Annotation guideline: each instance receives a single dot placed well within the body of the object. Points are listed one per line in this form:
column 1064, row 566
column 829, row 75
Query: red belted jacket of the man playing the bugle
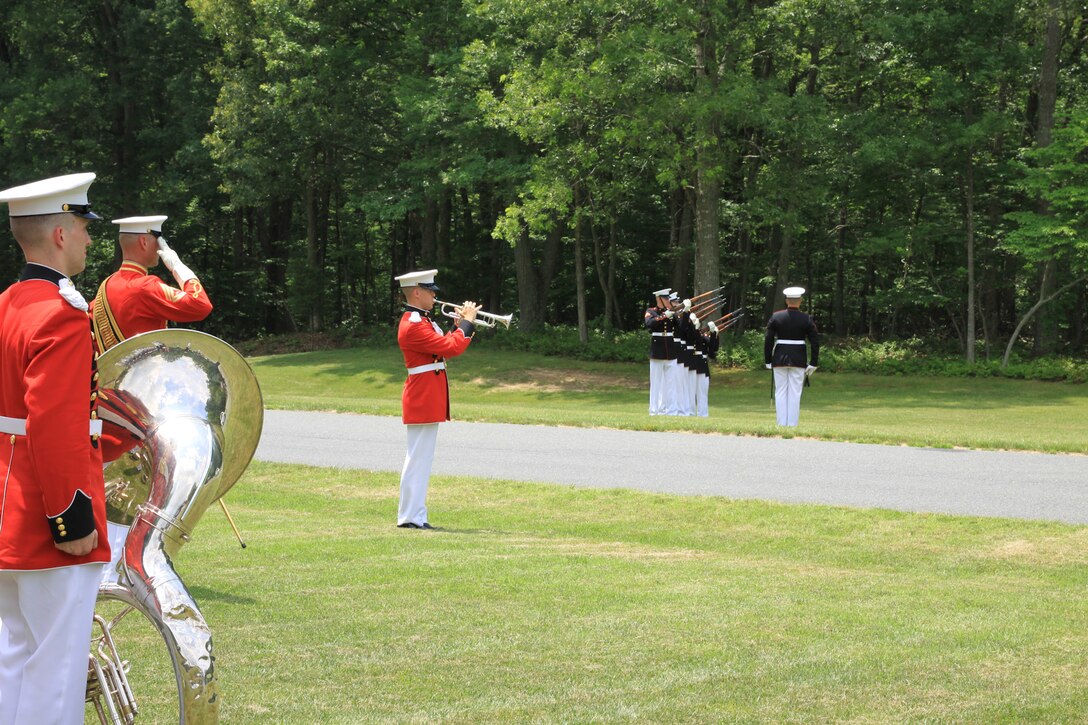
column 426, row 398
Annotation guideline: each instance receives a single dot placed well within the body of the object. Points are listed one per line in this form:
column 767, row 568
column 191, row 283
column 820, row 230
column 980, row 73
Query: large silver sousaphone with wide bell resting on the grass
column 192, row 409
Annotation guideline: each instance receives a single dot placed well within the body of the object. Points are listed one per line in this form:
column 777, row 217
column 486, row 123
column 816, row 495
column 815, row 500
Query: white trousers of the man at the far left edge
column 45, row 641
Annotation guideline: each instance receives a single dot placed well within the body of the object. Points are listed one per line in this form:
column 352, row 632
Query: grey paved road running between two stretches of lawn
column 979, row 483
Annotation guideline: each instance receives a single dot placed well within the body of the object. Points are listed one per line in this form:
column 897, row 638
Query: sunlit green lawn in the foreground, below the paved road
column 548, row 604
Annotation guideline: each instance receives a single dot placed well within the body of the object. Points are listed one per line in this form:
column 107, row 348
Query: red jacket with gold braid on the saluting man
column 139, row 302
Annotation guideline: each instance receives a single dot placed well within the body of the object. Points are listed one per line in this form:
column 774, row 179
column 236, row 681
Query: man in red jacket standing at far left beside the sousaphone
column 53, row 508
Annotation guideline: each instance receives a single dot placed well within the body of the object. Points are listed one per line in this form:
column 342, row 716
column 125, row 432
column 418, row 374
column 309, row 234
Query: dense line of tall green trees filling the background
column 921, row 168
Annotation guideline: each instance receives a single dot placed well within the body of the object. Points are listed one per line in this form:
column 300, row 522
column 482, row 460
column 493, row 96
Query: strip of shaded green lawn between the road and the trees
column 503, row 387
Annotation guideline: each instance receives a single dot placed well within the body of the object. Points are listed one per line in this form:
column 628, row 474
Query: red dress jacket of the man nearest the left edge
column 53, row 475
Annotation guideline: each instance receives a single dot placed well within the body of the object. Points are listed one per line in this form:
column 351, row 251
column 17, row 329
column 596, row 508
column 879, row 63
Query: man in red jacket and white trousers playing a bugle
column 426, row 399
